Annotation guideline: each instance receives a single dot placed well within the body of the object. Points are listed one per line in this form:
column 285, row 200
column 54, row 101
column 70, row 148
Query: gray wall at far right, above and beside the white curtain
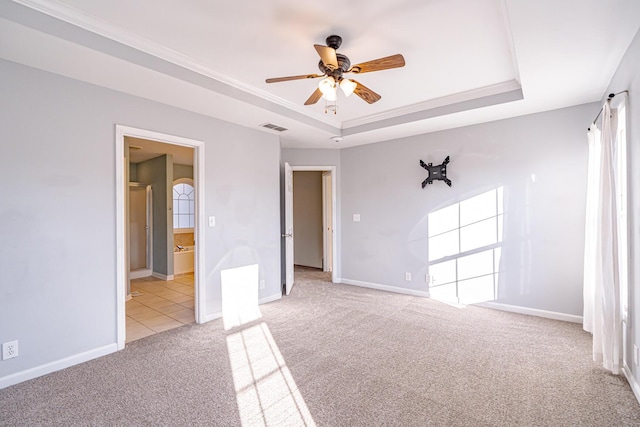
column 627, row 77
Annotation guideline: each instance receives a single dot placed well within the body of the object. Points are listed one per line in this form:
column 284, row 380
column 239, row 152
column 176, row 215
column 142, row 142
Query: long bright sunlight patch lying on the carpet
column 265, row 390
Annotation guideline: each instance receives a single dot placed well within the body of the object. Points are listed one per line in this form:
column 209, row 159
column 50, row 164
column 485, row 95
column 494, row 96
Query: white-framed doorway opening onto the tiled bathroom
column 152, row 296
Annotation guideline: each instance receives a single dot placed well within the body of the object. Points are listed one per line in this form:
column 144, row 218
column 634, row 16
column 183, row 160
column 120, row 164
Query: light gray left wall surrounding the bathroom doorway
column 58, row 257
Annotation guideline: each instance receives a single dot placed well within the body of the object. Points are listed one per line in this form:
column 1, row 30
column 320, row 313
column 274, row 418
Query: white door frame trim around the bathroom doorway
column 121, row 217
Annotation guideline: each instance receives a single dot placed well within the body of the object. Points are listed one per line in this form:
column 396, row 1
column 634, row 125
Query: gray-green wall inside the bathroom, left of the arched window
column 159, row 173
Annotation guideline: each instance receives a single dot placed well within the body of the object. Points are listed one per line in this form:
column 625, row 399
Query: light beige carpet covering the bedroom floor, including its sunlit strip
column 337, row 355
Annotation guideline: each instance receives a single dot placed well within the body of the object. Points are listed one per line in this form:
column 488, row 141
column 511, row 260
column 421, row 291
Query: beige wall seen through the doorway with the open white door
column 307, row 218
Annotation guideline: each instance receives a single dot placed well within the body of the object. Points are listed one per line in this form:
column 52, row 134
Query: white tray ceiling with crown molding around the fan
column 467, row 61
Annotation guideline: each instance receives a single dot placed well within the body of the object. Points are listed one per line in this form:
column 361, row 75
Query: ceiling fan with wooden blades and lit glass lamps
column 333, row 65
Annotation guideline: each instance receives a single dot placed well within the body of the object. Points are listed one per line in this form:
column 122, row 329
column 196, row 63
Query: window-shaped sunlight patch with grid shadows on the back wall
column 465, row 248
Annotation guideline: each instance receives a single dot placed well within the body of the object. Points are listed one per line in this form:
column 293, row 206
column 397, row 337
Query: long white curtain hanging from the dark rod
column 602, row 315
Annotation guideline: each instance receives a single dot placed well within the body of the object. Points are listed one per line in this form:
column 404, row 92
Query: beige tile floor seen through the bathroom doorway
column 159, row 305
